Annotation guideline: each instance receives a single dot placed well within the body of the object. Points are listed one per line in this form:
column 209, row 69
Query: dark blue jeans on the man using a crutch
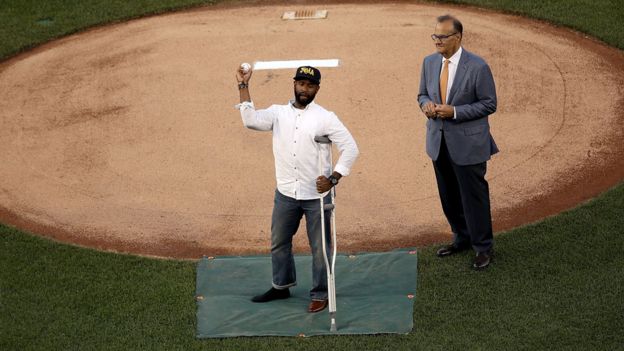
column 287, row 214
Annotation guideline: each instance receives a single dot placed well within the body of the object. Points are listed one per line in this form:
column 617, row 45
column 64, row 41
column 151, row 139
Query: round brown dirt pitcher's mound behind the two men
column 125, row 138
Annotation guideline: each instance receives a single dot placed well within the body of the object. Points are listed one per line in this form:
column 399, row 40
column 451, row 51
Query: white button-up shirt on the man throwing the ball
column 294, row 148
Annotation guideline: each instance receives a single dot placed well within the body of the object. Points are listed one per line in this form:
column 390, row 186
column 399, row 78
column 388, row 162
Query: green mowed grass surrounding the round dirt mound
column 557, row 284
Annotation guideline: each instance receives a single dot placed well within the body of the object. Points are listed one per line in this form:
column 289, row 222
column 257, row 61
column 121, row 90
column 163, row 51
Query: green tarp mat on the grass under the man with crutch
column 375, row 294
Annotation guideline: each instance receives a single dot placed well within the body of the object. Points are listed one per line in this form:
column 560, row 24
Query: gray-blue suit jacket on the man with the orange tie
column 473, row 94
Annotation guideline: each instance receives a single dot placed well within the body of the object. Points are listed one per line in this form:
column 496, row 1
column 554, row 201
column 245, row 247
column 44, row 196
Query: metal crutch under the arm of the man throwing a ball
column 331, row 281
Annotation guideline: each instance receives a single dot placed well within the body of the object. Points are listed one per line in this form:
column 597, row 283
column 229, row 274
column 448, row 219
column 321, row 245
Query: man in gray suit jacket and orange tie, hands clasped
column 457, row 94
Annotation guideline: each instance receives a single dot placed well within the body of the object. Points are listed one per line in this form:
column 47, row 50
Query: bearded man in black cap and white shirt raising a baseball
column 299, row 185
